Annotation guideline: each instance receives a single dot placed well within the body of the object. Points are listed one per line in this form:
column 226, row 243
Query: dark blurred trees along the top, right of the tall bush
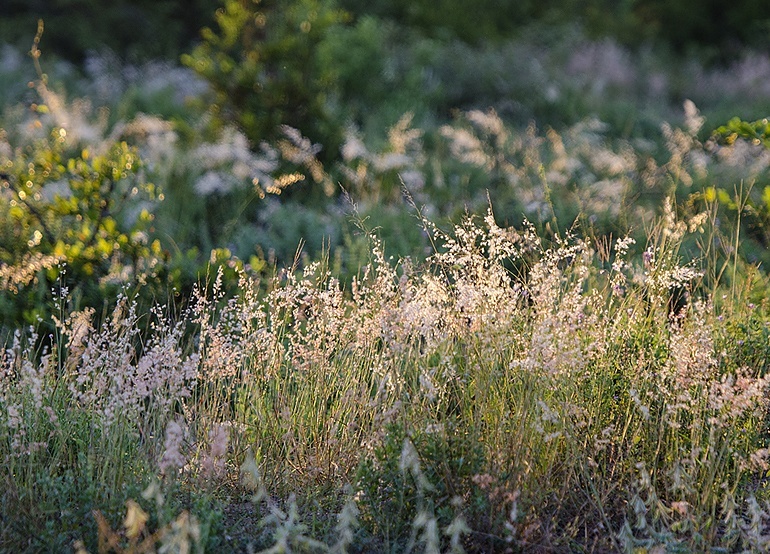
column 681, row 23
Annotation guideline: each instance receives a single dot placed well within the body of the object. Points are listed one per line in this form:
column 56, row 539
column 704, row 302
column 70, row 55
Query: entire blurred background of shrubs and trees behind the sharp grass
column 255, row 130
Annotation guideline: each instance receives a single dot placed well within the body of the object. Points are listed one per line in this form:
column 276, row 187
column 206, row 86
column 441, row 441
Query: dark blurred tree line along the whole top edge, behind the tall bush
column 165, row 28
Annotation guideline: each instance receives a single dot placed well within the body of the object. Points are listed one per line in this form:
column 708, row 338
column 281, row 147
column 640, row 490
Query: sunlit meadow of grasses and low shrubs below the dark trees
column 521, row 308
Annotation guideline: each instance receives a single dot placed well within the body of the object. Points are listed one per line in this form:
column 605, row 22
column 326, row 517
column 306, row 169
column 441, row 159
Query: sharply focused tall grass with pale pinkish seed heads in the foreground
column 511, row 393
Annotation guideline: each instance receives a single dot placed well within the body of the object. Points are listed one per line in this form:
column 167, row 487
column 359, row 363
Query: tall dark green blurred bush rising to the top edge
column 264, row 66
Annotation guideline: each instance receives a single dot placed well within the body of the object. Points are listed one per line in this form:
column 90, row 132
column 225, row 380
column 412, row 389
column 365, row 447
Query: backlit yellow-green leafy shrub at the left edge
column 84, row 211
